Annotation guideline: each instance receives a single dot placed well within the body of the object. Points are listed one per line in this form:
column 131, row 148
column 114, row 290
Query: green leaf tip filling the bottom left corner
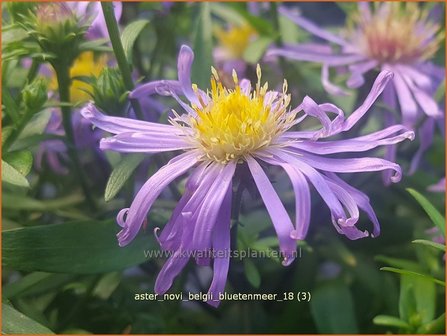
column 14, row 322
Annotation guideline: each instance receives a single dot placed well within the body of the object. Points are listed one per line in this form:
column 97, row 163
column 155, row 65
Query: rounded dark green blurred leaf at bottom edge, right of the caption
column 332, row 309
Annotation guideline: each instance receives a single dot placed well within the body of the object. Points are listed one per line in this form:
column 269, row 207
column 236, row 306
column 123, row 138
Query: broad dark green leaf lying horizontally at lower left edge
column 81, row 247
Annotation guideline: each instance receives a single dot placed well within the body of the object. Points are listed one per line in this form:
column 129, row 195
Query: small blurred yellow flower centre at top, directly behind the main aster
column 235, row 40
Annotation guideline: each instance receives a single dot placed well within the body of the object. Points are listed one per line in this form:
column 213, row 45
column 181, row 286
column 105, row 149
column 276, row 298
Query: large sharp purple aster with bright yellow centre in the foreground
column 223, row 130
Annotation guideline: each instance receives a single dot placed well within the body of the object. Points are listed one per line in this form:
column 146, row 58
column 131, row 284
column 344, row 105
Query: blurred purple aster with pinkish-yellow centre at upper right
column 395, row 37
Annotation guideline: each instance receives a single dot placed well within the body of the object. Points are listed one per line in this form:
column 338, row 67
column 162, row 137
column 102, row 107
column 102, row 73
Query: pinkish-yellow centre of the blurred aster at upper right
column 401, row 34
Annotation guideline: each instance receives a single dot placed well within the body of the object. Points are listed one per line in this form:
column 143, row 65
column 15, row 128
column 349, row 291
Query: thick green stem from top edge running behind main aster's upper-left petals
column 112, row 28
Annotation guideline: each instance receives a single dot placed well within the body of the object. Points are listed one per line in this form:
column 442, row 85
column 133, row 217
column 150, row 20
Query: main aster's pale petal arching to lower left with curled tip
column 143, row 201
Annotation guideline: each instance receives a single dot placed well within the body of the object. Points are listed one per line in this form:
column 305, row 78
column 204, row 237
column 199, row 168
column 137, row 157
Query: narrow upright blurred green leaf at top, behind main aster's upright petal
column 203, row 47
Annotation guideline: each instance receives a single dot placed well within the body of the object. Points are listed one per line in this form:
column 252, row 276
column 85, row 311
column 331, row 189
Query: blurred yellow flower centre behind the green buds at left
column 84, row 66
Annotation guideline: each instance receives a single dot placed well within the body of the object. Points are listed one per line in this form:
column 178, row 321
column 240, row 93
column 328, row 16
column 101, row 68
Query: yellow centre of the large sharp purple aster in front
column 235, row 122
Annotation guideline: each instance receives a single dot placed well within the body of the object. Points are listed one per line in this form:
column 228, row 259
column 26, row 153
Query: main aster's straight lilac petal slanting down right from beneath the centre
column 278, row 214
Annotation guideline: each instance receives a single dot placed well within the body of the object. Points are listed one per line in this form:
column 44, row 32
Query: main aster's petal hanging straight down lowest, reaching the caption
column 221, row 247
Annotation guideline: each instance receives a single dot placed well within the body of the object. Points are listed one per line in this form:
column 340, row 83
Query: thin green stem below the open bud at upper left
column 63, row 80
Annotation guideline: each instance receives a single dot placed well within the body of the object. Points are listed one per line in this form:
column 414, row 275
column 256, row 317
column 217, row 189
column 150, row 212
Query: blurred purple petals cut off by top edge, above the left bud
column 93, row 11
